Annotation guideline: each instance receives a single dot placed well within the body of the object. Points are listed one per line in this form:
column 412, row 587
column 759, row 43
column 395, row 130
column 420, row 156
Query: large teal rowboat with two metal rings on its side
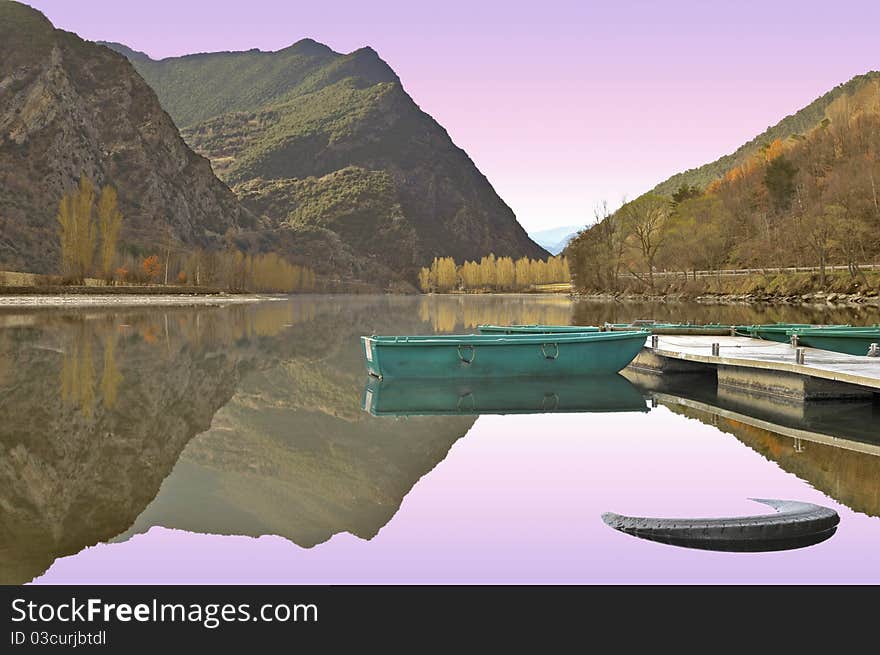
column 508, row 355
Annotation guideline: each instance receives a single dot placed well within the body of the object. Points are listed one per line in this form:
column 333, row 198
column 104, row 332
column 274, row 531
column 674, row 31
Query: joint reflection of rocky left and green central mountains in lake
column 97, row 408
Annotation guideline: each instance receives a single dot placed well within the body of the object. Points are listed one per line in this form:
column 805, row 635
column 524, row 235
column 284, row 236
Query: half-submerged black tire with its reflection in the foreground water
column 795, row 524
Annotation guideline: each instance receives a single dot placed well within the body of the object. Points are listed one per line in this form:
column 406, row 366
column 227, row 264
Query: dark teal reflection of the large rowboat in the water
column 419, row 397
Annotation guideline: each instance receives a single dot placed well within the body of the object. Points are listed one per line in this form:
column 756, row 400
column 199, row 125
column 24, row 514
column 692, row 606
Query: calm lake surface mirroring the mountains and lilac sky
column 230, row 445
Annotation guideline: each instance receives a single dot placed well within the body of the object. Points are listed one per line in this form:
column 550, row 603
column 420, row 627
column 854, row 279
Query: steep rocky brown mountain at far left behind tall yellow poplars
column 69, row 106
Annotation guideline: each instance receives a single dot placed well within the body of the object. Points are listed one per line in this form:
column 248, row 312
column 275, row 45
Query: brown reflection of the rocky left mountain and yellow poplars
column 92, row 422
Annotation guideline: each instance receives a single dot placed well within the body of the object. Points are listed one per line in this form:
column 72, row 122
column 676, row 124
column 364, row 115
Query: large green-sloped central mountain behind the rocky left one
column 329, row 145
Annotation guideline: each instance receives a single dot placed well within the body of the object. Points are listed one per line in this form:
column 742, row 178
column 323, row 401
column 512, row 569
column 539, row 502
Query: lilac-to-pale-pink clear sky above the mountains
column 560, row 103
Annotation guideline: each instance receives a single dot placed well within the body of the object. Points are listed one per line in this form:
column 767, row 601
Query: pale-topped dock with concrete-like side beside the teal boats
column 764, row 367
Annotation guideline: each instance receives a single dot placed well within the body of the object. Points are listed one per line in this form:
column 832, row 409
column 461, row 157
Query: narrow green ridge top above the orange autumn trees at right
column 793, row 126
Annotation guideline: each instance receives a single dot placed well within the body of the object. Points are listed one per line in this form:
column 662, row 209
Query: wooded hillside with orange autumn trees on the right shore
column 809, row 197
